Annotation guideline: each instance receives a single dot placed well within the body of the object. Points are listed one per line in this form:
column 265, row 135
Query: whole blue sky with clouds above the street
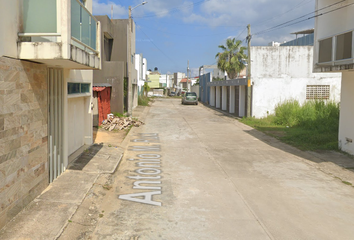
column 169, row 33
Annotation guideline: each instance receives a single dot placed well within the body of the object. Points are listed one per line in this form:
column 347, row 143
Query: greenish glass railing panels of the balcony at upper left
column 42, row 23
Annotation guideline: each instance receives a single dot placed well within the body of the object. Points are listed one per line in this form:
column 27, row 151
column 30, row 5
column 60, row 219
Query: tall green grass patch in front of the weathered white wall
column 311, row 126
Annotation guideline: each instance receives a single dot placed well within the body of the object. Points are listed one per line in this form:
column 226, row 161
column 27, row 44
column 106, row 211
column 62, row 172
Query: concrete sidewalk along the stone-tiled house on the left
column 47, row 215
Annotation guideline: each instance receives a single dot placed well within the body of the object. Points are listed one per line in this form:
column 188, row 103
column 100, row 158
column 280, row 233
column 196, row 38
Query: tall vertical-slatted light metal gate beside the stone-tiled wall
column 55, row 122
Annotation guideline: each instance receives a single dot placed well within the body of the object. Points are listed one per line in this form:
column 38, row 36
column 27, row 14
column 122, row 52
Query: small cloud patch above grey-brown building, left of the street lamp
column 101, row 8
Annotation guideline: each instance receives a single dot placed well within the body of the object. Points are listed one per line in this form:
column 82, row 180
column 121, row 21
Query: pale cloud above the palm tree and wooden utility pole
column 261, row 14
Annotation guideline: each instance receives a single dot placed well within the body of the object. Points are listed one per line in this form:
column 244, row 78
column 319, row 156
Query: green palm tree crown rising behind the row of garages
column 232, row 59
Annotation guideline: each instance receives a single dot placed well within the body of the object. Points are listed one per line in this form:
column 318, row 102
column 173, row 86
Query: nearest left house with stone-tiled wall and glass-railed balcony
column 48, row 49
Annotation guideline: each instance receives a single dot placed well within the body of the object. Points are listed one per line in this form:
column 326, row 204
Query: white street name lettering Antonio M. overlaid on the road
column 148, row 173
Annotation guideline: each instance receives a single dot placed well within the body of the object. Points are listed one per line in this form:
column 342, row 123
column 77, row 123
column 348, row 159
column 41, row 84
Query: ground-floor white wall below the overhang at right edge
column 346, row 119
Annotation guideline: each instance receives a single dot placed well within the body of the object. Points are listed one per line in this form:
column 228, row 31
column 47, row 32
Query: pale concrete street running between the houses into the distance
column 192, row 173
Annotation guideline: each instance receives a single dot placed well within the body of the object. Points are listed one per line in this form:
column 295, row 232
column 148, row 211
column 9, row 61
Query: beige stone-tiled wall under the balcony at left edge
column 23, row 135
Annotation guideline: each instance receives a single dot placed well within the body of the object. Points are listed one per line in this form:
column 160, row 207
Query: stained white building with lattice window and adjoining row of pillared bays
column 278, row 74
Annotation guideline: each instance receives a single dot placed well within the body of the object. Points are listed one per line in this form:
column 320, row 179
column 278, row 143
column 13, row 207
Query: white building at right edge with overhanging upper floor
column 333, row 52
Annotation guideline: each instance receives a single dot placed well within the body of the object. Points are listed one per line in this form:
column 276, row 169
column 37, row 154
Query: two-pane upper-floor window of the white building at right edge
column 336, row 50
